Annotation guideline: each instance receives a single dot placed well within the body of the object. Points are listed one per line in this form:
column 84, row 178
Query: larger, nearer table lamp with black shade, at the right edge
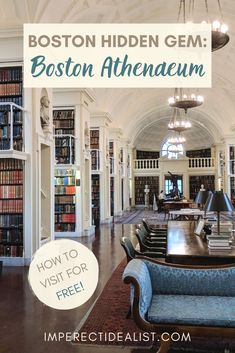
column 218, row 202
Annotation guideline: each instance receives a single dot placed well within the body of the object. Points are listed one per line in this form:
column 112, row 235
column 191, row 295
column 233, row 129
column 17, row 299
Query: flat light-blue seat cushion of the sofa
column 192, row 310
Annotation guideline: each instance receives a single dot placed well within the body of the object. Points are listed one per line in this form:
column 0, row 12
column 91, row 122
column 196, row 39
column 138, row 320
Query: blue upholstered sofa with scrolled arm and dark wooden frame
column 169, row 298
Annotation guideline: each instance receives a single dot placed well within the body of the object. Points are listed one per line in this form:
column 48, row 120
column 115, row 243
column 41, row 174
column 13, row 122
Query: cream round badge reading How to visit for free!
column 63, row 274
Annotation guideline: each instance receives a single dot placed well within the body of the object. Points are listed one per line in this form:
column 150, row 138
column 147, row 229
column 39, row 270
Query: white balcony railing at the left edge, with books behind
column 11, row 127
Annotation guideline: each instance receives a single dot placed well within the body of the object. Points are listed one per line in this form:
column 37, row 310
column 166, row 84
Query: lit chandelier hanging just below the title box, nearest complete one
column 185, row 99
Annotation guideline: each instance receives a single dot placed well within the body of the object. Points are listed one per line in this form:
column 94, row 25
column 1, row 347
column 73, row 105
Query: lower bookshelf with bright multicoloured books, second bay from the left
column 65, row 200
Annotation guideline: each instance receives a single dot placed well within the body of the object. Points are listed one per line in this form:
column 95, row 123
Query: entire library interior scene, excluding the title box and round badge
column 144, row 177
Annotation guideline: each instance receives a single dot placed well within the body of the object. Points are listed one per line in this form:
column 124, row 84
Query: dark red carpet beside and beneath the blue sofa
column 108, row 315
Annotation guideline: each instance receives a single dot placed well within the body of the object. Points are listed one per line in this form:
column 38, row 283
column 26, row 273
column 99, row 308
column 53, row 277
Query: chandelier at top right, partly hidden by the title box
column 219, row 36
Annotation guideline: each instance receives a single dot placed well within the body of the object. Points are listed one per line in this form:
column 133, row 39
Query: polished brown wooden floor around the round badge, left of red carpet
column 23, row 319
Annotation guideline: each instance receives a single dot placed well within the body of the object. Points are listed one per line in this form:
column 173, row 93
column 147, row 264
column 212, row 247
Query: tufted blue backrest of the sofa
column 186, row 281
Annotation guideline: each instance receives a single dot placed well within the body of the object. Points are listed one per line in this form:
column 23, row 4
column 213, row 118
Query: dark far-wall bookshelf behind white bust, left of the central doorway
column 140, row 182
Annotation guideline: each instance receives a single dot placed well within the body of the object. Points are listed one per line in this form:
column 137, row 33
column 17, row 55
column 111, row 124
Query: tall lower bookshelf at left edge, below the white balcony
column 11, row 208
